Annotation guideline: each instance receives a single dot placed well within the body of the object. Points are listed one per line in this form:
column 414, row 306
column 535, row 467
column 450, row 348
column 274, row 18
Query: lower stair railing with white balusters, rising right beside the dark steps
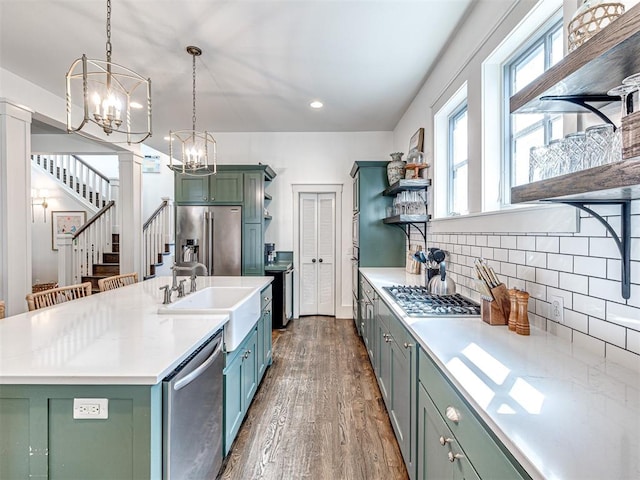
column 91, row 241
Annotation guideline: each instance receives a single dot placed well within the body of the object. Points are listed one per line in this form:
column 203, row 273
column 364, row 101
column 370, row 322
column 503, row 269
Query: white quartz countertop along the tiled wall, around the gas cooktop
column 563, row 412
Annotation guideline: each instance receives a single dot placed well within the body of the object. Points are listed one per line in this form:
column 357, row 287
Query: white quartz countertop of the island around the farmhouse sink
column 108, row 338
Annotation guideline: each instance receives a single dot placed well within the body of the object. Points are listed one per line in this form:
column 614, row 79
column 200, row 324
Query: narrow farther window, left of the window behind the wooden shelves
column 458, row 162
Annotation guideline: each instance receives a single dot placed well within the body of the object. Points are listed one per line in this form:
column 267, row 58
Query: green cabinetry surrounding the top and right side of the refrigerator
column 243, row 185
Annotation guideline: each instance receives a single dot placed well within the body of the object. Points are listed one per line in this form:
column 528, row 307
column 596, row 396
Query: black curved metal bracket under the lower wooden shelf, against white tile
column 623, row 241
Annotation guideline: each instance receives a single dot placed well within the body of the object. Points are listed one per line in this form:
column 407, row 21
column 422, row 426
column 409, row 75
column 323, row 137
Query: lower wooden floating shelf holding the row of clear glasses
column 613, row 181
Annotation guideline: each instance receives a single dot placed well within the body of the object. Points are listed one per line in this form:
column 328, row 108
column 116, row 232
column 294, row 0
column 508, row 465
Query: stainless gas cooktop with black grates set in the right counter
column 416, row 301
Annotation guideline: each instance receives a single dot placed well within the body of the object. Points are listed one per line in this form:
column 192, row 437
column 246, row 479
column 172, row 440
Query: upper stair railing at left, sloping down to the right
column 77, row 176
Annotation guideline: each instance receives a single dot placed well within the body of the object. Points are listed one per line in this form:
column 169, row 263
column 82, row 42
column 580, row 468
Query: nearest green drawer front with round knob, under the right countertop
column 488, row 455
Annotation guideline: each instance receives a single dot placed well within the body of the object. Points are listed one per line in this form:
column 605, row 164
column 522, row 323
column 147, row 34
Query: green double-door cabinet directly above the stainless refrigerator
column 223, row 187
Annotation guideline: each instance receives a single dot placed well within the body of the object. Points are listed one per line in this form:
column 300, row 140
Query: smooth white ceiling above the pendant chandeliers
column 263, row 60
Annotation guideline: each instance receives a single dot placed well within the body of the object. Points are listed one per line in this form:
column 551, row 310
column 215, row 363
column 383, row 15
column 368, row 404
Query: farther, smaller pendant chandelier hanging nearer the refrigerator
column 196, row 150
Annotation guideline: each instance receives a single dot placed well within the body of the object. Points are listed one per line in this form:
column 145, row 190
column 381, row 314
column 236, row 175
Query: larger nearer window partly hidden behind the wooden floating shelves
column 529, row 130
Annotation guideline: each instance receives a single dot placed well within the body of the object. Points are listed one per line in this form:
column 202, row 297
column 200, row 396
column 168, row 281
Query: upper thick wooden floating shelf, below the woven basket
column 595, row 67
